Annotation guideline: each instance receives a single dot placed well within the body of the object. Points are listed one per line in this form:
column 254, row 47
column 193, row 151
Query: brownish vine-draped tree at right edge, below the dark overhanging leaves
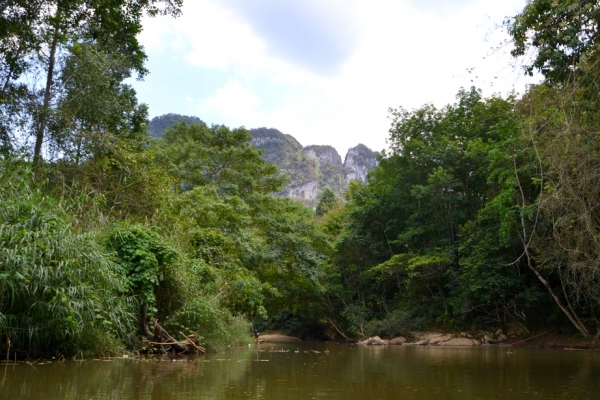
column 562, row 245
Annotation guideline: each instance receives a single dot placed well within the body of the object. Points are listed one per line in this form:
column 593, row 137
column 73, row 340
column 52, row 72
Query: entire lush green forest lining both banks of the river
column 481, row 214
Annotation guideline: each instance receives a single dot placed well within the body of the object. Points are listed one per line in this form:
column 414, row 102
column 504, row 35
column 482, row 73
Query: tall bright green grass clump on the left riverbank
column 60, row 292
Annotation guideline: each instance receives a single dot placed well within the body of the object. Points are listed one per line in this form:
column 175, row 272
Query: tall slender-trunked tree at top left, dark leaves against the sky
column 54, row 26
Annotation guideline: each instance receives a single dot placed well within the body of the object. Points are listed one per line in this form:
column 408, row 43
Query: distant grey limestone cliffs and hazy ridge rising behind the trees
column 311, row 169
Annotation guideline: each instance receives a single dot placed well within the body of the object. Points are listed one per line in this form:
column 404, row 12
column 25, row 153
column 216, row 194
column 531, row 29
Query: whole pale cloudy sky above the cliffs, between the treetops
column 324, row 71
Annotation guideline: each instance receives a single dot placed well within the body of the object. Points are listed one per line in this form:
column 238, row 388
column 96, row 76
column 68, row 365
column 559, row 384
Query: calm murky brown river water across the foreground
column 345, row 372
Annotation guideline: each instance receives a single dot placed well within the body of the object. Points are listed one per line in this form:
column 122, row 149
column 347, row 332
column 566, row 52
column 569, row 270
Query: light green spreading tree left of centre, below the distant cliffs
column 267, row 249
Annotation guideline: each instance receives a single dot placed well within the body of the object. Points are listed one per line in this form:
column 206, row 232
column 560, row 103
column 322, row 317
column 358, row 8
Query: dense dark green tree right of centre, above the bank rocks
column 417, row 246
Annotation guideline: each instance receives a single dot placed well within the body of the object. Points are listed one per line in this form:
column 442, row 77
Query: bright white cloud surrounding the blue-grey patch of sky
column 403, row 57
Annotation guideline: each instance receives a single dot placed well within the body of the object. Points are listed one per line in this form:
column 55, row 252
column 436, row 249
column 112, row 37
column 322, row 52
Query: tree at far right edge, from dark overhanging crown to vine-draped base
column 557, row 118
